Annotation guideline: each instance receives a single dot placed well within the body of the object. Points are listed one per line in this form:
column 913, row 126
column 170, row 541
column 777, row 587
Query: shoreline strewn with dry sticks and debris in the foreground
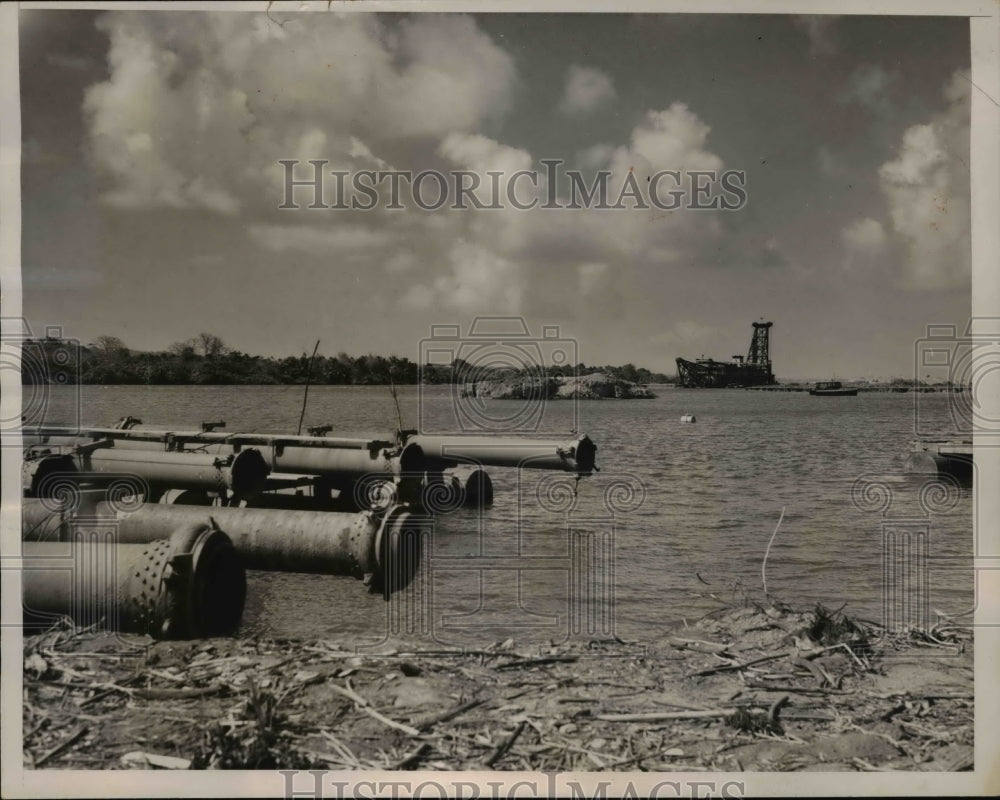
column 747, row 687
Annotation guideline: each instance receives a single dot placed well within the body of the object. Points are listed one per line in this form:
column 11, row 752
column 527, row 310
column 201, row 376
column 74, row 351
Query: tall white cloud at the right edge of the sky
column 926, row 189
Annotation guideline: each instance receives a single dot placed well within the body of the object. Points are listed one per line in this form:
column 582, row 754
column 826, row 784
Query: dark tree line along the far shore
column 207, row 360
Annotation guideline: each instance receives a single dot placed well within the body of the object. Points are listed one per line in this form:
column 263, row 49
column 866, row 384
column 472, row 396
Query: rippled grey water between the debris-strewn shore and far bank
column 702, row 503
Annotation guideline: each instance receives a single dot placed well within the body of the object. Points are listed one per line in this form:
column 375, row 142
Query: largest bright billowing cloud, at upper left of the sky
column 198, row 108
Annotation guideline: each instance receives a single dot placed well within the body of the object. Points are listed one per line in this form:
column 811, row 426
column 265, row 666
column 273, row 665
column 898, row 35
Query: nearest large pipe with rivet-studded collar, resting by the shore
column 187, row 585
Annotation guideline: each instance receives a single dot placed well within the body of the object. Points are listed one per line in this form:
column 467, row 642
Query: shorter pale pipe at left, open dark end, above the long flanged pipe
column 244, row 473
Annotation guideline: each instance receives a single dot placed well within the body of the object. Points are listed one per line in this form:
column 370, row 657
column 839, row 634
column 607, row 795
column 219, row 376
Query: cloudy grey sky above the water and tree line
column 151, row 181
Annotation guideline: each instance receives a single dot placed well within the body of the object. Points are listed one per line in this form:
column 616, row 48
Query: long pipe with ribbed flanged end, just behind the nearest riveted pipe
column 381, row 547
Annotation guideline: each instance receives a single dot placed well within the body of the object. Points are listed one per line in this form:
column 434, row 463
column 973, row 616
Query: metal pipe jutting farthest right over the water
column 440, row 452
